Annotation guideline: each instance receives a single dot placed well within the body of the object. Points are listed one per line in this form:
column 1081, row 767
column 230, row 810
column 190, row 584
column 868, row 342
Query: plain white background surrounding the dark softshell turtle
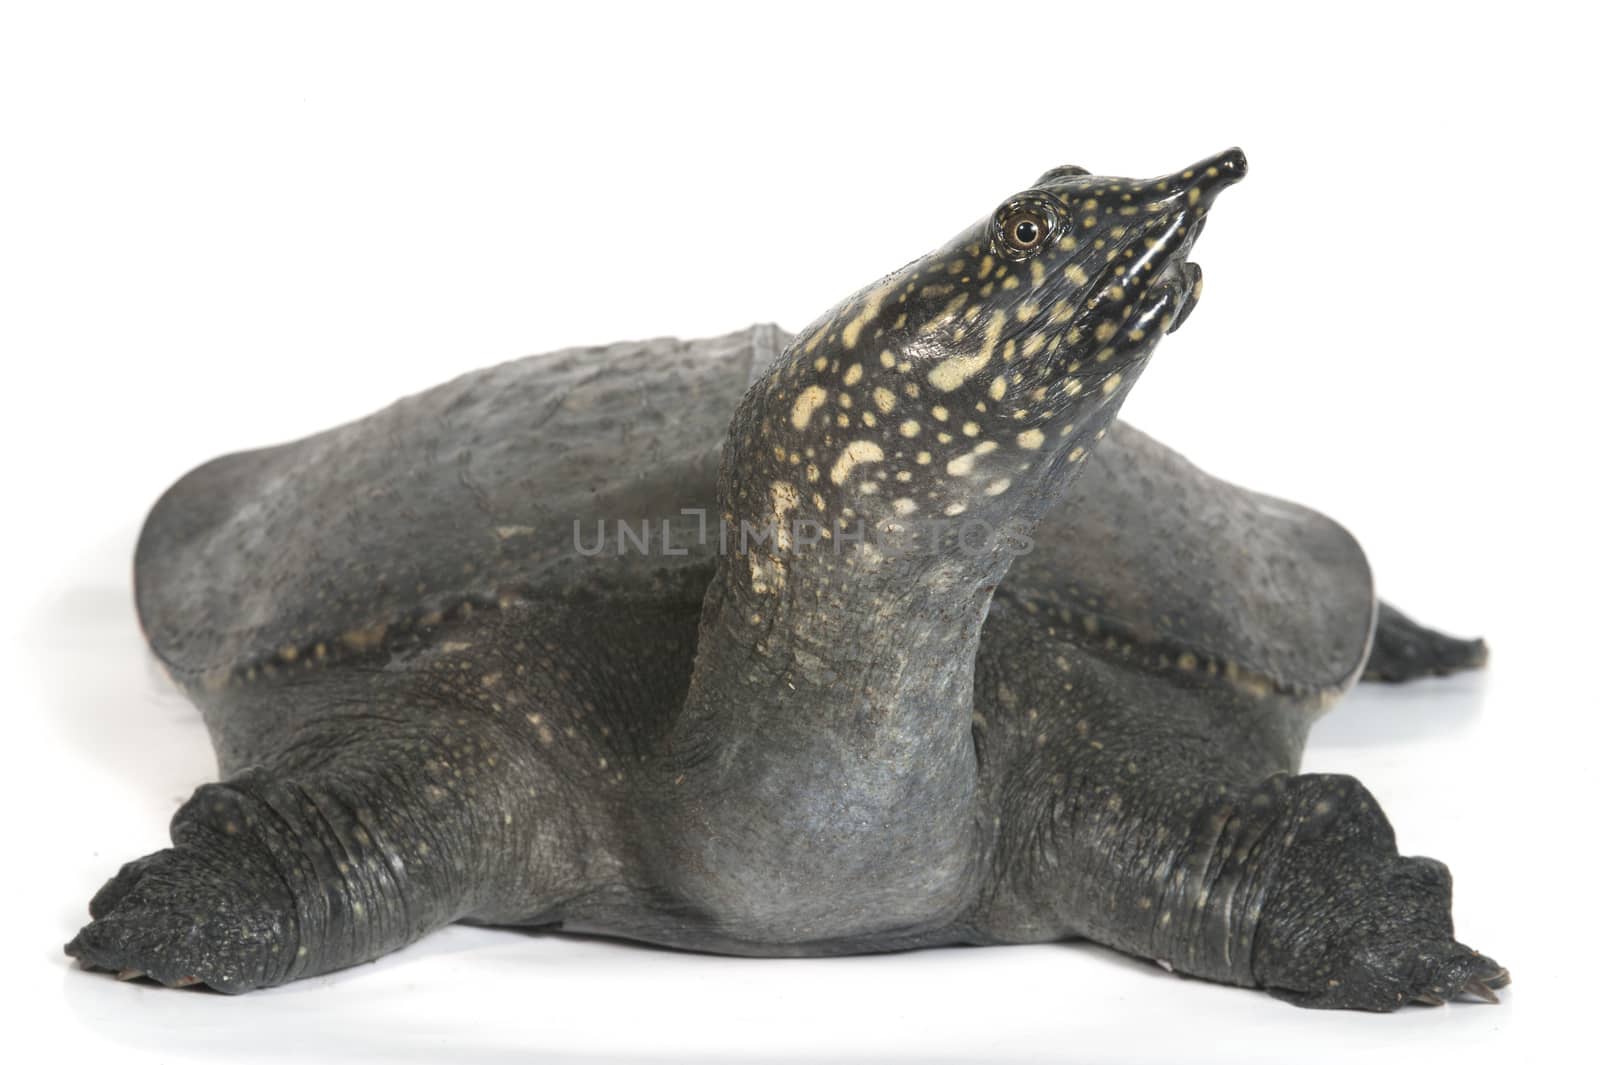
column 226, row 228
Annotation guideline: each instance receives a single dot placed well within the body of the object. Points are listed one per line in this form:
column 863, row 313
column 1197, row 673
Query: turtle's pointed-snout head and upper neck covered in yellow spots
column 974, row 378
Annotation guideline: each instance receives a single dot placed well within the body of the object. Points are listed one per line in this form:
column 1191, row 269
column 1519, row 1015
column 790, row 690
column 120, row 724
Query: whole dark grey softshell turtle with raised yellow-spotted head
column 1074, row 709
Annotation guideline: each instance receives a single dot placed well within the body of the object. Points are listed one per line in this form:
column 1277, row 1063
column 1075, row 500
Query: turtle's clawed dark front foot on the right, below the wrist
column 1356, row 927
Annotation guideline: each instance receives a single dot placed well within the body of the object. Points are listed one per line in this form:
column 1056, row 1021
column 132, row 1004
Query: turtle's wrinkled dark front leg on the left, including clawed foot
column 377, row 826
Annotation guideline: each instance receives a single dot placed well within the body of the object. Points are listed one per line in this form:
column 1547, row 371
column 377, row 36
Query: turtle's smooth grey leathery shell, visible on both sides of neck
column 495, row 489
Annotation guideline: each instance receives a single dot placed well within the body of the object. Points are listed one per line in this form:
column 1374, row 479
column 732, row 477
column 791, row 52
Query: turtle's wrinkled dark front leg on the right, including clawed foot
column 1153, row 834
